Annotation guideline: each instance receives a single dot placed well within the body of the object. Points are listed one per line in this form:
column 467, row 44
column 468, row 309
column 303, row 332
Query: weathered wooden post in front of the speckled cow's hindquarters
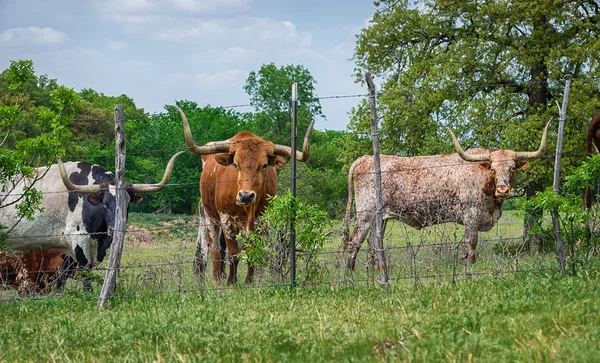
column 383, row 273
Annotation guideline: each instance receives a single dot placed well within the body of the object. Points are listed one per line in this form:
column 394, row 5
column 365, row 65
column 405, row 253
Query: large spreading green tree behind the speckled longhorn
column 492, row 71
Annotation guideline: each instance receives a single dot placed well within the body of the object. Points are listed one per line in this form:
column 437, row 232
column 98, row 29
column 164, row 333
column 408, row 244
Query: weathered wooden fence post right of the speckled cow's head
column 560, row 248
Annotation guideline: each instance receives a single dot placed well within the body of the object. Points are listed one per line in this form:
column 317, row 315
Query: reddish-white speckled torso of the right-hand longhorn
column 424, row 190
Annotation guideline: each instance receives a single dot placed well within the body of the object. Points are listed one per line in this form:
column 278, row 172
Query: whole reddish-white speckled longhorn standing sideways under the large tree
column 467, row 188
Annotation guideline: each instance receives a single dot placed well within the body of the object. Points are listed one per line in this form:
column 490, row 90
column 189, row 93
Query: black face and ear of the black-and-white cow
column 104, row 205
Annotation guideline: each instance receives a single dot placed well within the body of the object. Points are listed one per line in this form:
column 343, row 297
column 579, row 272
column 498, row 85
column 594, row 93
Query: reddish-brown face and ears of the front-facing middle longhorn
column 251, row 159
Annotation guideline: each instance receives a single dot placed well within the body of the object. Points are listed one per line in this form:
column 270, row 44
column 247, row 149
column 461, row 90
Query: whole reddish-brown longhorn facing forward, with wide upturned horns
column 237, row 176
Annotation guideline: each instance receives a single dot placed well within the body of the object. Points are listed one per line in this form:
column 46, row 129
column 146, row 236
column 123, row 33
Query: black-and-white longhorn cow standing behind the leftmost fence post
column 79, row 222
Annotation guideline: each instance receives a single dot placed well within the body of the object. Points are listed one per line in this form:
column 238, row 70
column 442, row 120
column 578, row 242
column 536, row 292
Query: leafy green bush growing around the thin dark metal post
column 269, row 244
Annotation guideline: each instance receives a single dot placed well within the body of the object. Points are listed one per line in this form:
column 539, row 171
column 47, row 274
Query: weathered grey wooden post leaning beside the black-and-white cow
column 122, row 200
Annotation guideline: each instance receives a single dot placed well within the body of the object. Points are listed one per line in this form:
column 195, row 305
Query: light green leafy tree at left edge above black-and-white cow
column 32, row 135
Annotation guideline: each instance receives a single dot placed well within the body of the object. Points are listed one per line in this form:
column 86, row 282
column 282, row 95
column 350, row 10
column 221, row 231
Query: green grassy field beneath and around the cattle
column 510, row 306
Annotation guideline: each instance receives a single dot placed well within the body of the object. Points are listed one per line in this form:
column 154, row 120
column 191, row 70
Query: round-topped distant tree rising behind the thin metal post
column 270, row 91
